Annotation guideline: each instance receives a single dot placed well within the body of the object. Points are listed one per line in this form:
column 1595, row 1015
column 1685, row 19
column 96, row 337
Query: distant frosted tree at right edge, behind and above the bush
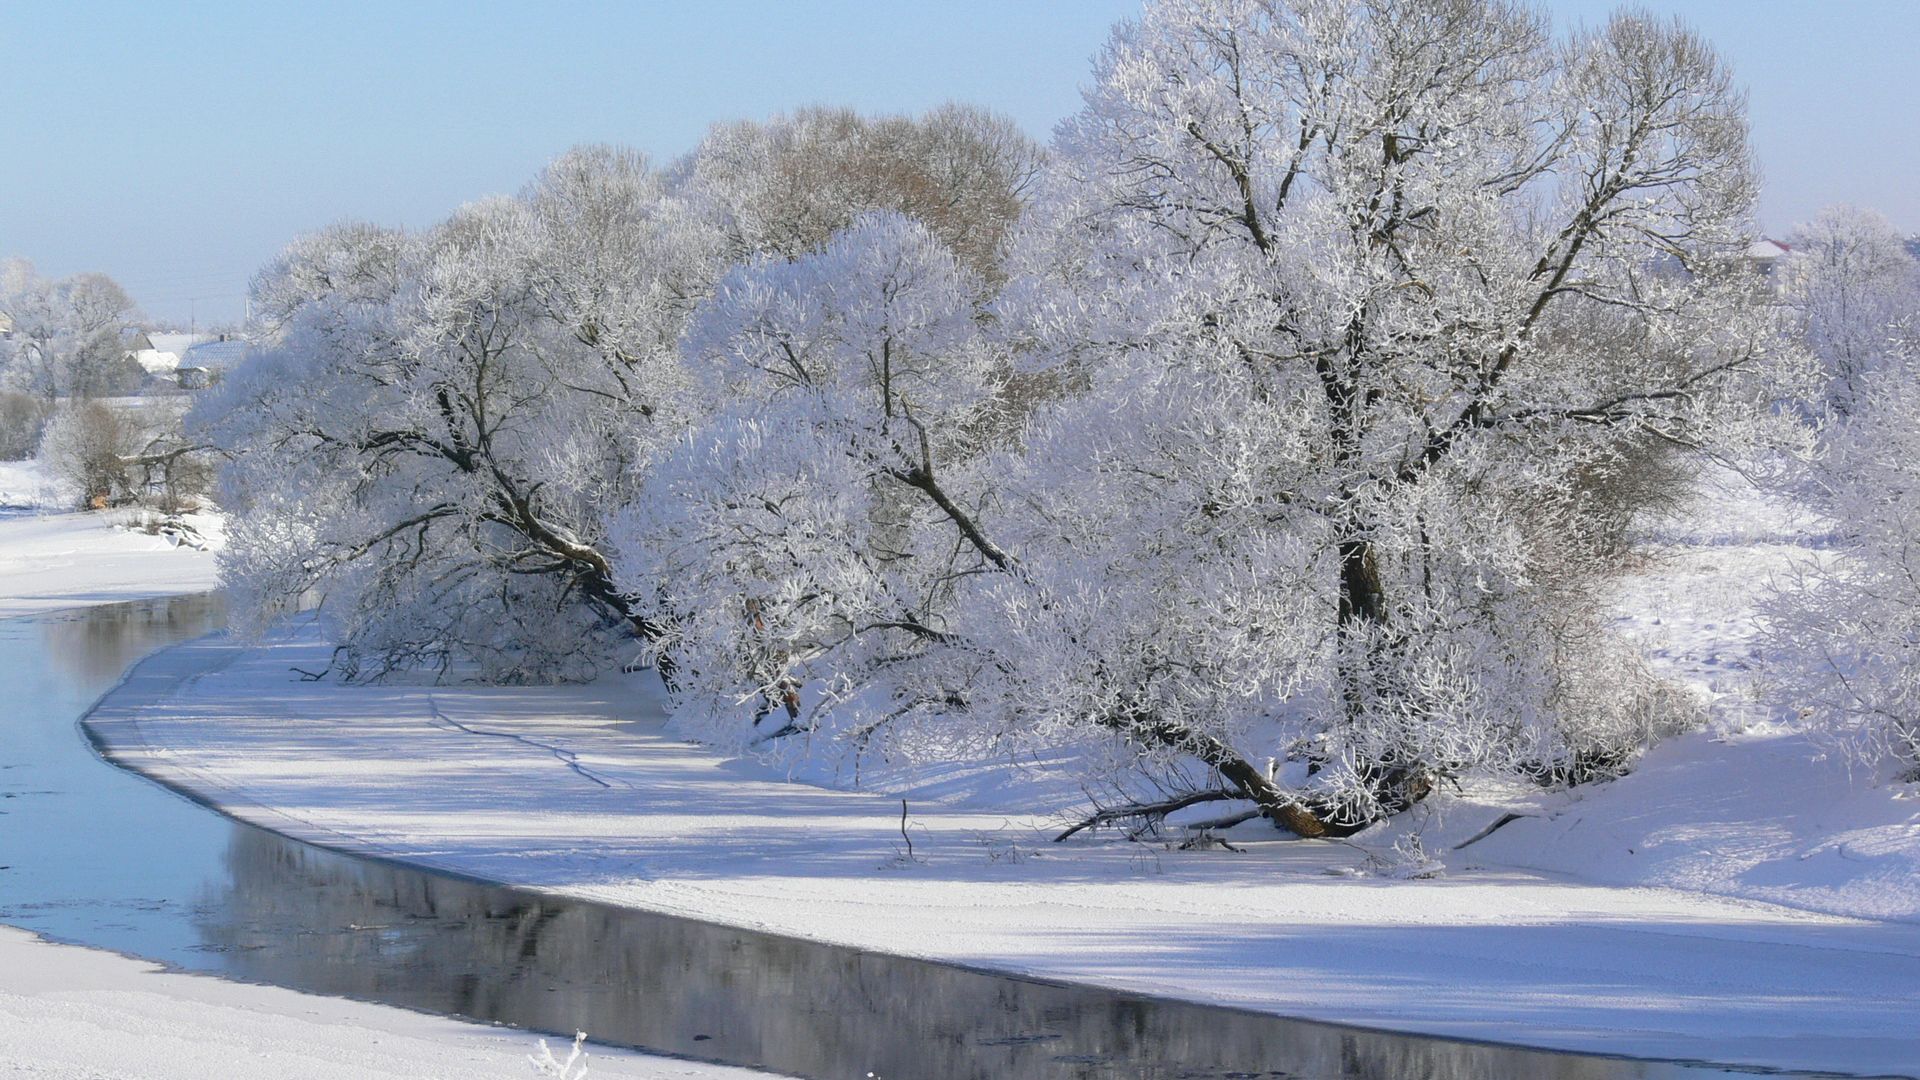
column 1858, row 289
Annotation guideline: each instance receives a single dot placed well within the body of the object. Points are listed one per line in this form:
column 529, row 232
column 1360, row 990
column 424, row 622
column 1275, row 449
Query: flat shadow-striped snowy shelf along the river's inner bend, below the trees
column 226, row 727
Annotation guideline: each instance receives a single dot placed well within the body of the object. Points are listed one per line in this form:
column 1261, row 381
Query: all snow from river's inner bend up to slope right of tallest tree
column 1739, row 898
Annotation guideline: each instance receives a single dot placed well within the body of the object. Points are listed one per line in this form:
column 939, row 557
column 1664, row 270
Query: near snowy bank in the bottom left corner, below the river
column 87, row 1016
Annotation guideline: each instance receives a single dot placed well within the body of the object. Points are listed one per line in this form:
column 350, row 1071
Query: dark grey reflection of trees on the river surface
column 327, row 923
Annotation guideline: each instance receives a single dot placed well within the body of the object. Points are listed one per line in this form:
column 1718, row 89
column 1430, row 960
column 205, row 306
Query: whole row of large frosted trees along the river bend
column 1270, row 439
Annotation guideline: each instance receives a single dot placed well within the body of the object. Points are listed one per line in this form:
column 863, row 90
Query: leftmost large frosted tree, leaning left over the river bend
column 439, row 418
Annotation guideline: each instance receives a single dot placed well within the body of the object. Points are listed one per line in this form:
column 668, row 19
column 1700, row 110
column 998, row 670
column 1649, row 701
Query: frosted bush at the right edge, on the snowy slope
column 1844, row 637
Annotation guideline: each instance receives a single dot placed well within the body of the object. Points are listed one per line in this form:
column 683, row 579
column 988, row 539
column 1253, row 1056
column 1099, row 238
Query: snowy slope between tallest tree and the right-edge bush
column 1746, row 808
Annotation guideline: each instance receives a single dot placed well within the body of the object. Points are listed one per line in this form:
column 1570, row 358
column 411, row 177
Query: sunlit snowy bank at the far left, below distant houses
column 53, row 558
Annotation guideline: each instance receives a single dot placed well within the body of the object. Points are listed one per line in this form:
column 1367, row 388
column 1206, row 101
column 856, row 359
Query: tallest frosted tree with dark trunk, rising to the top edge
column 1366, row 299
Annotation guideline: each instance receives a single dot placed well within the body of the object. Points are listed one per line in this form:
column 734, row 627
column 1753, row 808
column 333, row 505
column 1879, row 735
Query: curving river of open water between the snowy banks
column 97, row 856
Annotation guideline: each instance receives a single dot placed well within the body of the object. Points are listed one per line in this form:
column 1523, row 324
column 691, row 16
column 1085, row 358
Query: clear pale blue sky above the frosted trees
column 178, row 147
